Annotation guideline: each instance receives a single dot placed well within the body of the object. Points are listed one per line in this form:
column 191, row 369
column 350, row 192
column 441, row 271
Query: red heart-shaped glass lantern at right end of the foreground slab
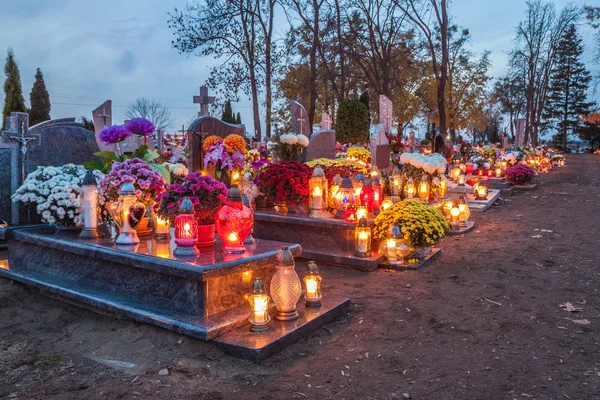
column 234, row 222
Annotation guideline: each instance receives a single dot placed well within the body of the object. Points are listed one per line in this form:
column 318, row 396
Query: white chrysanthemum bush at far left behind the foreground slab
column 54, row 193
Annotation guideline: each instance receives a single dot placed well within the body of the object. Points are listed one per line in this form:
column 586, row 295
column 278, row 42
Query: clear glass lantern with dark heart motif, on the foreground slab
column 127, row 213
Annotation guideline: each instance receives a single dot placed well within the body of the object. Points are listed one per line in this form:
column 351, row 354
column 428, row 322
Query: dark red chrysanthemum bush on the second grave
column 285, row 181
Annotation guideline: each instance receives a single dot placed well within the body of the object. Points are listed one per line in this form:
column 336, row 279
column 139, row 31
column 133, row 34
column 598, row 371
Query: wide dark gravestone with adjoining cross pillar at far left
column 50, row 143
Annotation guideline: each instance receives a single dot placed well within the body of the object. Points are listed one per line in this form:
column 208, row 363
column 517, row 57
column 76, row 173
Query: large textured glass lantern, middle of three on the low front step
column 285, row 286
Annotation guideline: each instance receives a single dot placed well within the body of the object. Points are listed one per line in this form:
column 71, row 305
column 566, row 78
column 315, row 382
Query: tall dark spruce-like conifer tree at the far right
column 569, row 82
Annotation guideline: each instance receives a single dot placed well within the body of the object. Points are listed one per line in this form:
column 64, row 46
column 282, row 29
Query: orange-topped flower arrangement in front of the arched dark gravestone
column 223, row 156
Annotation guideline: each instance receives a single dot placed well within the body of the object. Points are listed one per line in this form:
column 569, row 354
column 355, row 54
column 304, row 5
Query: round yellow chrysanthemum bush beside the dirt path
column 421, row 224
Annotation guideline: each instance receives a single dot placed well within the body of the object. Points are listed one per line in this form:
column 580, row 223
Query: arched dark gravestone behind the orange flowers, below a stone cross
column 200, row 129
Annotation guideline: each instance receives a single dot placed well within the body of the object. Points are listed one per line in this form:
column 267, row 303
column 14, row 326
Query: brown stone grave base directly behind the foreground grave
column 326, row 240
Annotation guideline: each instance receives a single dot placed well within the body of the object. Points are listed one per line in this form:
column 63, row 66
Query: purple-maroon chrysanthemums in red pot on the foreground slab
column 207, row 195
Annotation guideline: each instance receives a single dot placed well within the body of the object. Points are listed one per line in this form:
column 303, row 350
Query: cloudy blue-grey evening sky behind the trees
column 91, row 51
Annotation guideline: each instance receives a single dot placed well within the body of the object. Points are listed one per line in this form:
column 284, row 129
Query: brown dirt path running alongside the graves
column 482, row 322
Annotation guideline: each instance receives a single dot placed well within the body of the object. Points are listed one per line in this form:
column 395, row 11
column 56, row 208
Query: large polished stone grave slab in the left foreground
column 202, row 298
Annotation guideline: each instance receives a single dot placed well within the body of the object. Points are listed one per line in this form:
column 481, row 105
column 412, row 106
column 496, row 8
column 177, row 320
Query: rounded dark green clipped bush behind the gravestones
column 352, row 123
